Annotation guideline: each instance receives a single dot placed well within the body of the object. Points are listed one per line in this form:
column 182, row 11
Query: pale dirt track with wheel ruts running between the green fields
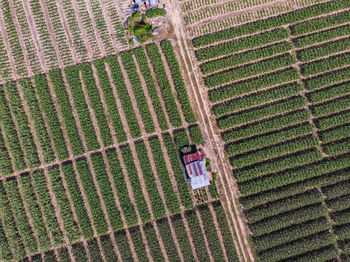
column 225, row 177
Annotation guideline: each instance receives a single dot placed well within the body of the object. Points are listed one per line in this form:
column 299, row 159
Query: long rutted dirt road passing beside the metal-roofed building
column 214, row 145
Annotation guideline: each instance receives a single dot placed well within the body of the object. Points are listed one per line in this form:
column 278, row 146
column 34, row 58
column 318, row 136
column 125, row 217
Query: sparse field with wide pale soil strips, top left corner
column 40, row 35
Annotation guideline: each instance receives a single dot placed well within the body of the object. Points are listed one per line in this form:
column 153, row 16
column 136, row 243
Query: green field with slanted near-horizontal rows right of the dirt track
column 278, row 89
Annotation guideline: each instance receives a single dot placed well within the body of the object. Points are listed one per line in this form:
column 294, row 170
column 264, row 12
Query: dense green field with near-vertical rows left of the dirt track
column 89, row 163
